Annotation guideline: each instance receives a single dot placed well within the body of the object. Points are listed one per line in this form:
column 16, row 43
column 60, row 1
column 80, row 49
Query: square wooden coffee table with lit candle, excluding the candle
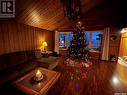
column 31, row 87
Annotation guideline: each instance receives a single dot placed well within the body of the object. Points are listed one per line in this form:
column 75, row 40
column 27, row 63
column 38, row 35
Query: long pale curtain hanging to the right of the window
column 105, row 48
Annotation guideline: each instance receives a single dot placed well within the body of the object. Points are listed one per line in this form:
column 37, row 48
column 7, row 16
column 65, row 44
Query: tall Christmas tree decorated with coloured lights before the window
column 78, row 48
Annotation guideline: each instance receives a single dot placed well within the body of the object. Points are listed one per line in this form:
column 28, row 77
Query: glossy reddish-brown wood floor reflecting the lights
column 102, row 78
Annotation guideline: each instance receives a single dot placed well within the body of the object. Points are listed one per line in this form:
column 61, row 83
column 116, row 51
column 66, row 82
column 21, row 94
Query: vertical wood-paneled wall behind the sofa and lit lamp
column 19, row 37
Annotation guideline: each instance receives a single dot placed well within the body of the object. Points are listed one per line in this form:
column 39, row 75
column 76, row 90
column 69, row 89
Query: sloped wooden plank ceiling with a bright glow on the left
column 49, row 15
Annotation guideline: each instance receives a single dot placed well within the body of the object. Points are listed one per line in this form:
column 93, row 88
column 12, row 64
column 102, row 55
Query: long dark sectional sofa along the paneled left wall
column 14, row 65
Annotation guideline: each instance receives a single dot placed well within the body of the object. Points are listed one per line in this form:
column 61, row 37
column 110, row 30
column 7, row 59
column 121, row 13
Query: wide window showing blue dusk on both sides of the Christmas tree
column 93, row 38
